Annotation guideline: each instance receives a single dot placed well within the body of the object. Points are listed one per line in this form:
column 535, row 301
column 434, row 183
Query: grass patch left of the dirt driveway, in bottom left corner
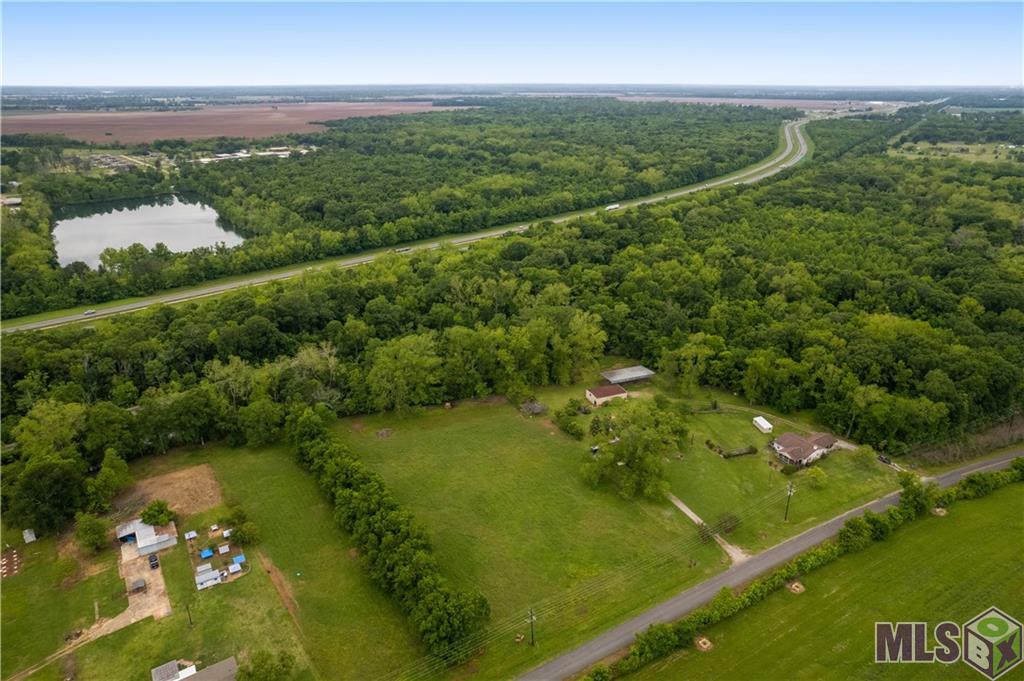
column 48, row 601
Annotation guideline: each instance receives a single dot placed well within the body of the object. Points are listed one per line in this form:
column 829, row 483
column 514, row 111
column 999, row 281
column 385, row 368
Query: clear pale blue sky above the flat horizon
column 755, row 45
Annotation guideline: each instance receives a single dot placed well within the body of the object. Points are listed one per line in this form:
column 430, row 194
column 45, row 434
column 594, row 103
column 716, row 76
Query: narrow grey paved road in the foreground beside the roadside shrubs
column 620, row 637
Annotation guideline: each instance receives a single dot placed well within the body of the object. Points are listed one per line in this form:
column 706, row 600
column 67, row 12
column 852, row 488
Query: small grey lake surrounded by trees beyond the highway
column 84, row 231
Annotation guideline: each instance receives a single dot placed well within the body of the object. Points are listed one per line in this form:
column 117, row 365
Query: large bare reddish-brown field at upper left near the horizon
column 234, row 121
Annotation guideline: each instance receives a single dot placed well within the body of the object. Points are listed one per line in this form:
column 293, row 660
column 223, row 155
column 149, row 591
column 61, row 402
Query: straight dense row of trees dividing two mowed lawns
column 393, row 547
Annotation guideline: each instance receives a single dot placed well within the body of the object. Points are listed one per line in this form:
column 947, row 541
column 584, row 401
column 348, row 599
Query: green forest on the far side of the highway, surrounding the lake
column 379, row 182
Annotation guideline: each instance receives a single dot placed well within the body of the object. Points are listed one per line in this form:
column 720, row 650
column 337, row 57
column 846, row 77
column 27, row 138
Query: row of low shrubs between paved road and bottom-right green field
column 916, row 500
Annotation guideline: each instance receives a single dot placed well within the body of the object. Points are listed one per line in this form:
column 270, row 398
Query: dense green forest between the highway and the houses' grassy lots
column 885, row 294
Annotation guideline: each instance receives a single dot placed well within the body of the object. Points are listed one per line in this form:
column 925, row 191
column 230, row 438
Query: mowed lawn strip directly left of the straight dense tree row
column 348, row 626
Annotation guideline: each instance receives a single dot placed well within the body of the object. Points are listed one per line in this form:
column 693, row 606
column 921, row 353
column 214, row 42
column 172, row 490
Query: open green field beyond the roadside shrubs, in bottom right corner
column 932, row 571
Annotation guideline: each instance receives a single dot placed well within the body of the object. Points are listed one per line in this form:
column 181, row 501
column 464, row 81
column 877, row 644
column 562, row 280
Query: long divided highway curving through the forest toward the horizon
column 795, row 150
